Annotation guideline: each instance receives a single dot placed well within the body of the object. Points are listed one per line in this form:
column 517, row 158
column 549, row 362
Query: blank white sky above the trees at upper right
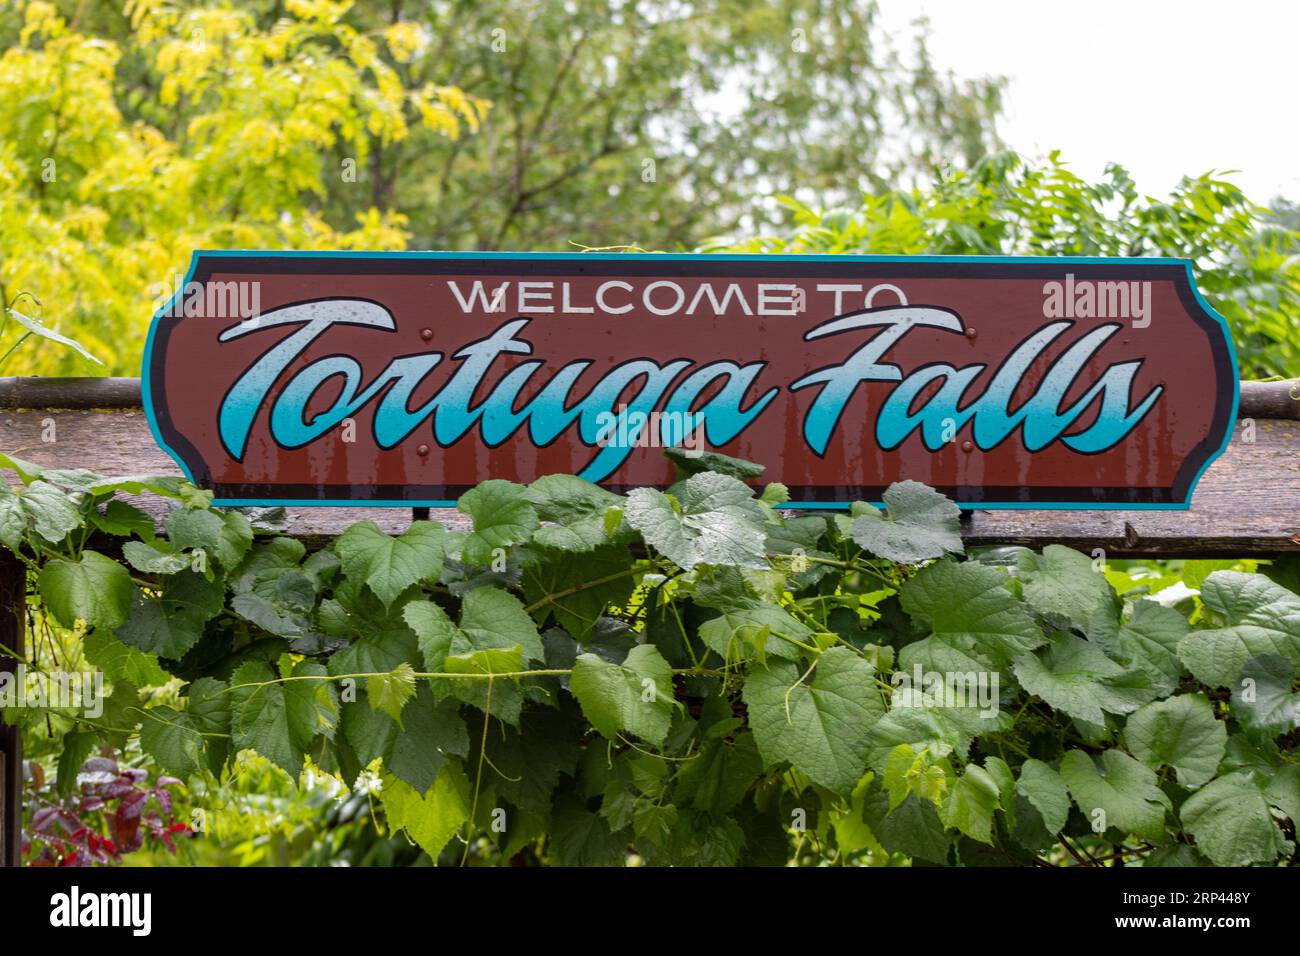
column 1163, row 88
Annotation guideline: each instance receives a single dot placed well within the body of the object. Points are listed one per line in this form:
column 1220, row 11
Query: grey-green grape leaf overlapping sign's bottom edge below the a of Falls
column 921, row 525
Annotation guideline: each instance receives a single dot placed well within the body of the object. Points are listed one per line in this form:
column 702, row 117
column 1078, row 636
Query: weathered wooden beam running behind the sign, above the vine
column 1247, row 504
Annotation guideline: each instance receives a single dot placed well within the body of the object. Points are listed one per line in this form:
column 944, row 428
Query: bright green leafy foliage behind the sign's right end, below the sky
column 1246, row 262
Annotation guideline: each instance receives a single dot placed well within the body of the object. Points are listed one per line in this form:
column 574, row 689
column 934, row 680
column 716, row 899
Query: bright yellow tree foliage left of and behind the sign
column 196, row 129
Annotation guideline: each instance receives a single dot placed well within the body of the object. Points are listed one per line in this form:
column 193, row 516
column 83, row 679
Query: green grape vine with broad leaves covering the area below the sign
column 691, row 677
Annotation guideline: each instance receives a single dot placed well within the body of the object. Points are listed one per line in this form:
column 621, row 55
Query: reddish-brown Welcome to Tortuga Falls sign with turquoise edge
column 409, row 378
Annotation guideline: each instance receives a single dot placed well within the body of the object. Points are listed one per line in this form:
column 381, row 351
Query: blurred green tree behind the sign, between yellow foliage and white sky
column 664, row 124
